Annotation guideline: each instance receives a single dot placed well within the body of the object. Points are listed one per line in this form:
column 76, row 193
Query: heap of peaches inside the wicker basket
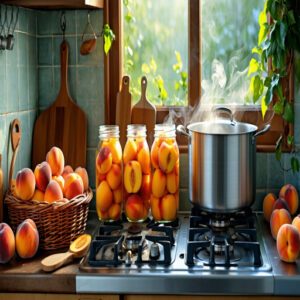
column 51, row 180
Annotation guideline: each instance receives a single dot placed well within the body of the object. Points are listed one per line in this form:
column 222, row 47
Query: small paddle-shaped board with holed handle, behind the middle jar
column 143, row 112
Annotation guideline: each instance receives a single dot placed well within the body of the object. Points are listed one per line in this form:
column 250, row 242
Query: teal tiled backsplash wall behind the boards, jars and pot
column 30, row 83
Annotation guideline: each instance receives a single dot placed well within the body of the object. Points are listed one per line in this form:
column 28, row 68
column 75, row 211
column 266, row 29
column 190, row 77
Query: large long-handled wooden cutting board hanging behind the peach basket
column 63, row 124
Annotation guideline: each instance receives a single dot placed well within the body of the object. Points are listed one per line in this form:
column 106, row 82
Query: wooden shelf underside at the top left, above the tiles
column 57, row 4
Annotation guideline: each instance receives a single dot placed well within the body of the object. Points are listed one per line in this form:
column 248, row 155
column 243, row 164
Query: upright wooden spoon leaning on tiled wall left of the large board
column 15, row 137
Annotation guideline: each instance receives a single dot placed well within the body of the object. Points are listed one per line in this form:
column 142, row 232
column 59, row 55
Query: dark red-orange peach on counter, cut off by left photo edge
column 7, row 243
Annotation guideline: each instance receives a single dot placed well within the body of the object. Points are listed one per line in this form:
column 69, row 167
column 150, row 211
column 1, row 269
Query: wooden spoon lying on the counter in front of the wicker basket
column 78, row 248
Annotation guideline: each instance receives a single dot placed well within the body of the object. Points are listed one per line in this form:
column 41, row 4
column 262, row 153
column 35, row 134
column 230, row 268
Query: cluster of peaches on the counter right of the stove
column 284, row 223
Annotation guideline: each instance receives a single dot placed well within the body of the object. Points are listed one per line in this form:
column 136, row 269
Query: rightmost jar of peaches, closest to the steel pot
column 165, row 180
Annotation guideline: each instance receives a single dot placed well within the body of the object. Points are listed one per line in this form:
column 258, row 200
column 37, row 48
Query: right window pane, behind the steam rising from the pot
column 229, row 32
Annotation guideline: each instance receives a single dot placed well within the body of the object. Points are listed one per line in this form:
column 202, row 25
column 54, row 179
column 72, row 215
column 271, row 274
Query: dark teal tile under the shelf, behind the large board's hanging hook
column 49, row 22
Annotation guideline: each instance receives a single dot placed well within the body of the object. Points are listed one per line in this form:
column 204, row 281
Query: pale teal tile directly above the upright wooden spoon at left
column 12, row 89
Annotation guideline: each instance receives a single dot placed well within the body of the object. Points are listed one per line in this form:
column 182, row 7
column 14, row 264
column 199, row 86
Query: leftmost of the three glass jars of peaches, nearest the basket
column 109, row 195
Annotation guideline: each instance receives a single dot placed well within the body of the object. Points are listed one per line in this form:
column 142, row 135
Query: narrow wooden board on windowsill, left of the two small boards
column 123, row 111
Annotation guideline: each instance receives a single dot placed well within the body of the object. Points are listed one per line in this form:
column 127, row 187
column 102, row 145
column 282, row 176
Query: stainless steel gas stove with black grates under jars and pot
column 198, row 253
